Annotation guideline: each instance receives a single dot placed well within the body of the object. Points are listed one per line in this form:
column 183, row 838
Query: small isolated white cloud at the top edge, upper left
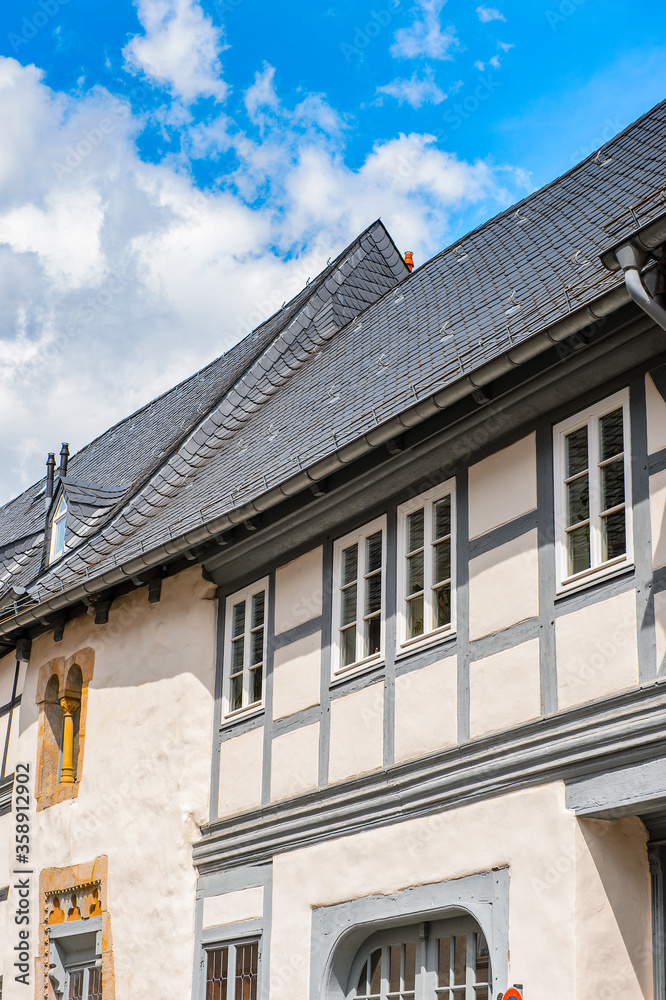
column 179, row 49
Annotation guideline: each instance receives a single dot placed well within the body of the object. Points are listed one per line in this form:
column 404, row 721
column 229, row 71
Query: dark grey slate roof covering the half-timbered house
column 312, row 386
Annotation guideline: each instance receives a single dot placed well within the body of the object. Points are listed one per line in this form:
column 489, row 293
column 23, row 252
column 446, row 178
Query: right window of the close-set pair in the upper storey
column 426, row 566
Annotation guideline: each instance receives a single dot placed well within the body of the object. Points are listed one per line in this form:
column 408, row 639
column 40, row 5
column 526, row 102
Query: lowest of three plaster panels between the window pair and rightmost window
column 505, row 689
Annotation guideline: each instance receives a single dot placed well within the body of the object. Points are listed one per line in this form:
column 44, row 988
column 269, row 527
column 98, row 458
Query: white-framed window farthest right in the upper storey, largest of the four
column 593, row 513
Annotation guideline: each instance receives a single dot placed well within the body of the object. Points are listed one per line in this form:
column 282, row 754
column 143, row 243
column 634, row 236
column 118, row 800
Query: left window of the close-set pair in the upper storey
column 359, row 564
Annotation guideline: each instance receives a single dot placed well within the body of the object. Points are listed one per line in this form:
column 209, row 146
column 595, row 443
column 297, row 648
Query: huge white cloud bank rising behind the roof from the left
column 118, row 277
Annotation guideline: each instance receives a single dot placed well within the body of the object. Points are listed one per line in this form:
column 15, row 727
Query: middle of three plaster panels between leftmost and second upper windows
column 297, row 676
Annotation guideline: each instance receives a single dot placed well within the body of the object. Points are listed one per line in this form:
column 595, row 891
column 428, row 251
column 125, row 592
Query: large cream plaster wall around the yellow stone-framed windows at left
column 146, row 775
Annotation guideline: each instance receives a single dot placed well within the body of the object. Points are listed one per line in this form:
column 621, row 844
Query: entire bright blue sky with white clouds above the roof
column 172, row 170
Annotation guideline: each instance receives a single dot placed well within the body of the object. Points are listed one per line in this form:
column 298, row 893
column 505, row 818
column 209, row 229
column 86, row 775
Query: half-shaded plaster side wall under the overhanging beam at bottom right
column 614, row 952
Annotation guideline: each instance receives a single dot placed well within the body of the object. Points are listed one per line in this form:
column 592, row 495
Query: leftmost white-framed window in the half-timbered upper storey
column 245, row 649
